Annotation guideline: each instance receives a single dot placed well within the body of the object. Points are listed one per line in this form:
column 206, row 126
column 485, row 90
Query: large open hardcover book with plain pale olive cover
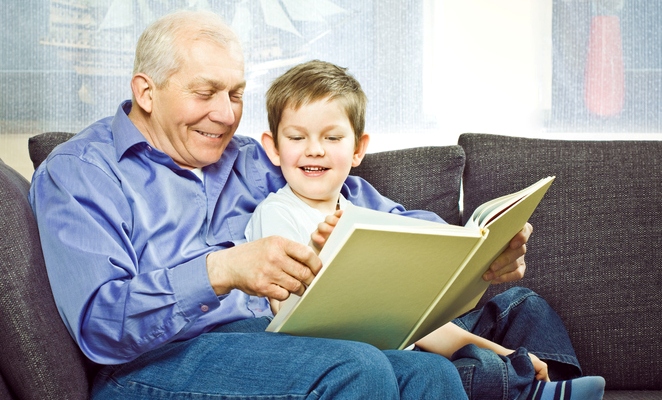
column 389, row 280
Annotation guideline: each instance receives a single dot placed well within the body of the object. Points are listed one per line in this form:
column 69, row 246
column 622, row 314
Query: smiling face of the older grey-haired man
column 196, row 113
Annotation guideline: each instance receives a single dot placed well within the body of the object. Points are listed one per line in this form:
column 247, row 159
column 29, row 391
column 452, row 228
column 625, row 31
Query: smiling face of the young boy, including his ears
column 316, row 150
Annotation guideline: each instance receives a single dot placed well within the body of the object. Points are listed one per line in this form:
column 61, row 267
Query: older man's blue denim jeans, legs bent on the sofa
column 241, row 361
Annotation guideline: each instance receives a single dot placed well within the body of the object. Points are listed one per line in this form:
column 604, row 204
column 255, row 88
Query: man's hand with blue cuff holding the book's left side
column 271, row 267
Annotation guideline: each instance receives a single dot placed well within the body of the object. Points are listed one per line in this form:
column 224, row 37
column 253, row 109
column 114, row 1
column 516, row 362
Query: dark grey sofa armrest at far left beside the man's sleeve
column 38, row 358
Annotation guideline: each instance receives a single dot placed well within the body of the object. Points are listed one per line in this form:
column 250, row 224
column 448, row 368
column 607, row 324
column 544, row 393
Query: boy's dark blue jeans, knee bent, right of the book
column 521, row 320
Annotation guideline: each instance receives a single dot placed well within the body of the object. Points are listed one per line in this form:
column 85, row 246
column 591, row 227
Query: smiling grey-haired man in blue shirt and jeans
column 142, row 217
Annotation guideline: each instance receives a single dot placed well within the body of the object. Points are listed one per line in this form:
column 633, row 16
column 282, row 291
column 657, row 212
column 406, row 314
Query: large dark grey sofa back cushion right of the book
column 595, row 254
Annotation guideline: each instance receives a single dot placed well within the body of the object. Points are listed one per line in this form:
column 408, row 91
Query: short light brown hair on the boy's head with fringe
column 316, row 80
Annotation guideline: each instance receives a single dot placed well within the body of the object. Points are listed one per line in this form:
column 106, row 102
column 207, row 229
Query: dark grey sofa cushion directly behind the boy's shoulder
column 397, row 175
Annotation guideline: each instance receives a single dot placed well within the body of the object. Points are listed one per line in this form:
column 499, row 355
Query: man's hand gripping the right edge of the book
column 510, row 266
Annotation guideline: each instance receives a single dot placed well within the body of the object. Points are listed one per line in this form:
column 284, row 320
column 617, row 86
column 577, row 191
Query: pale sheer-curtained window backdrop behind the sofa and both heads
column 432, row 69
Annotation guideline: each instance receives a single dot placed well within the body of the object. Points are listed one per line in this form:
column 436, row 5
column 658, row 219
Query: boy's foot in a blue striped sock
column 584, row 388
